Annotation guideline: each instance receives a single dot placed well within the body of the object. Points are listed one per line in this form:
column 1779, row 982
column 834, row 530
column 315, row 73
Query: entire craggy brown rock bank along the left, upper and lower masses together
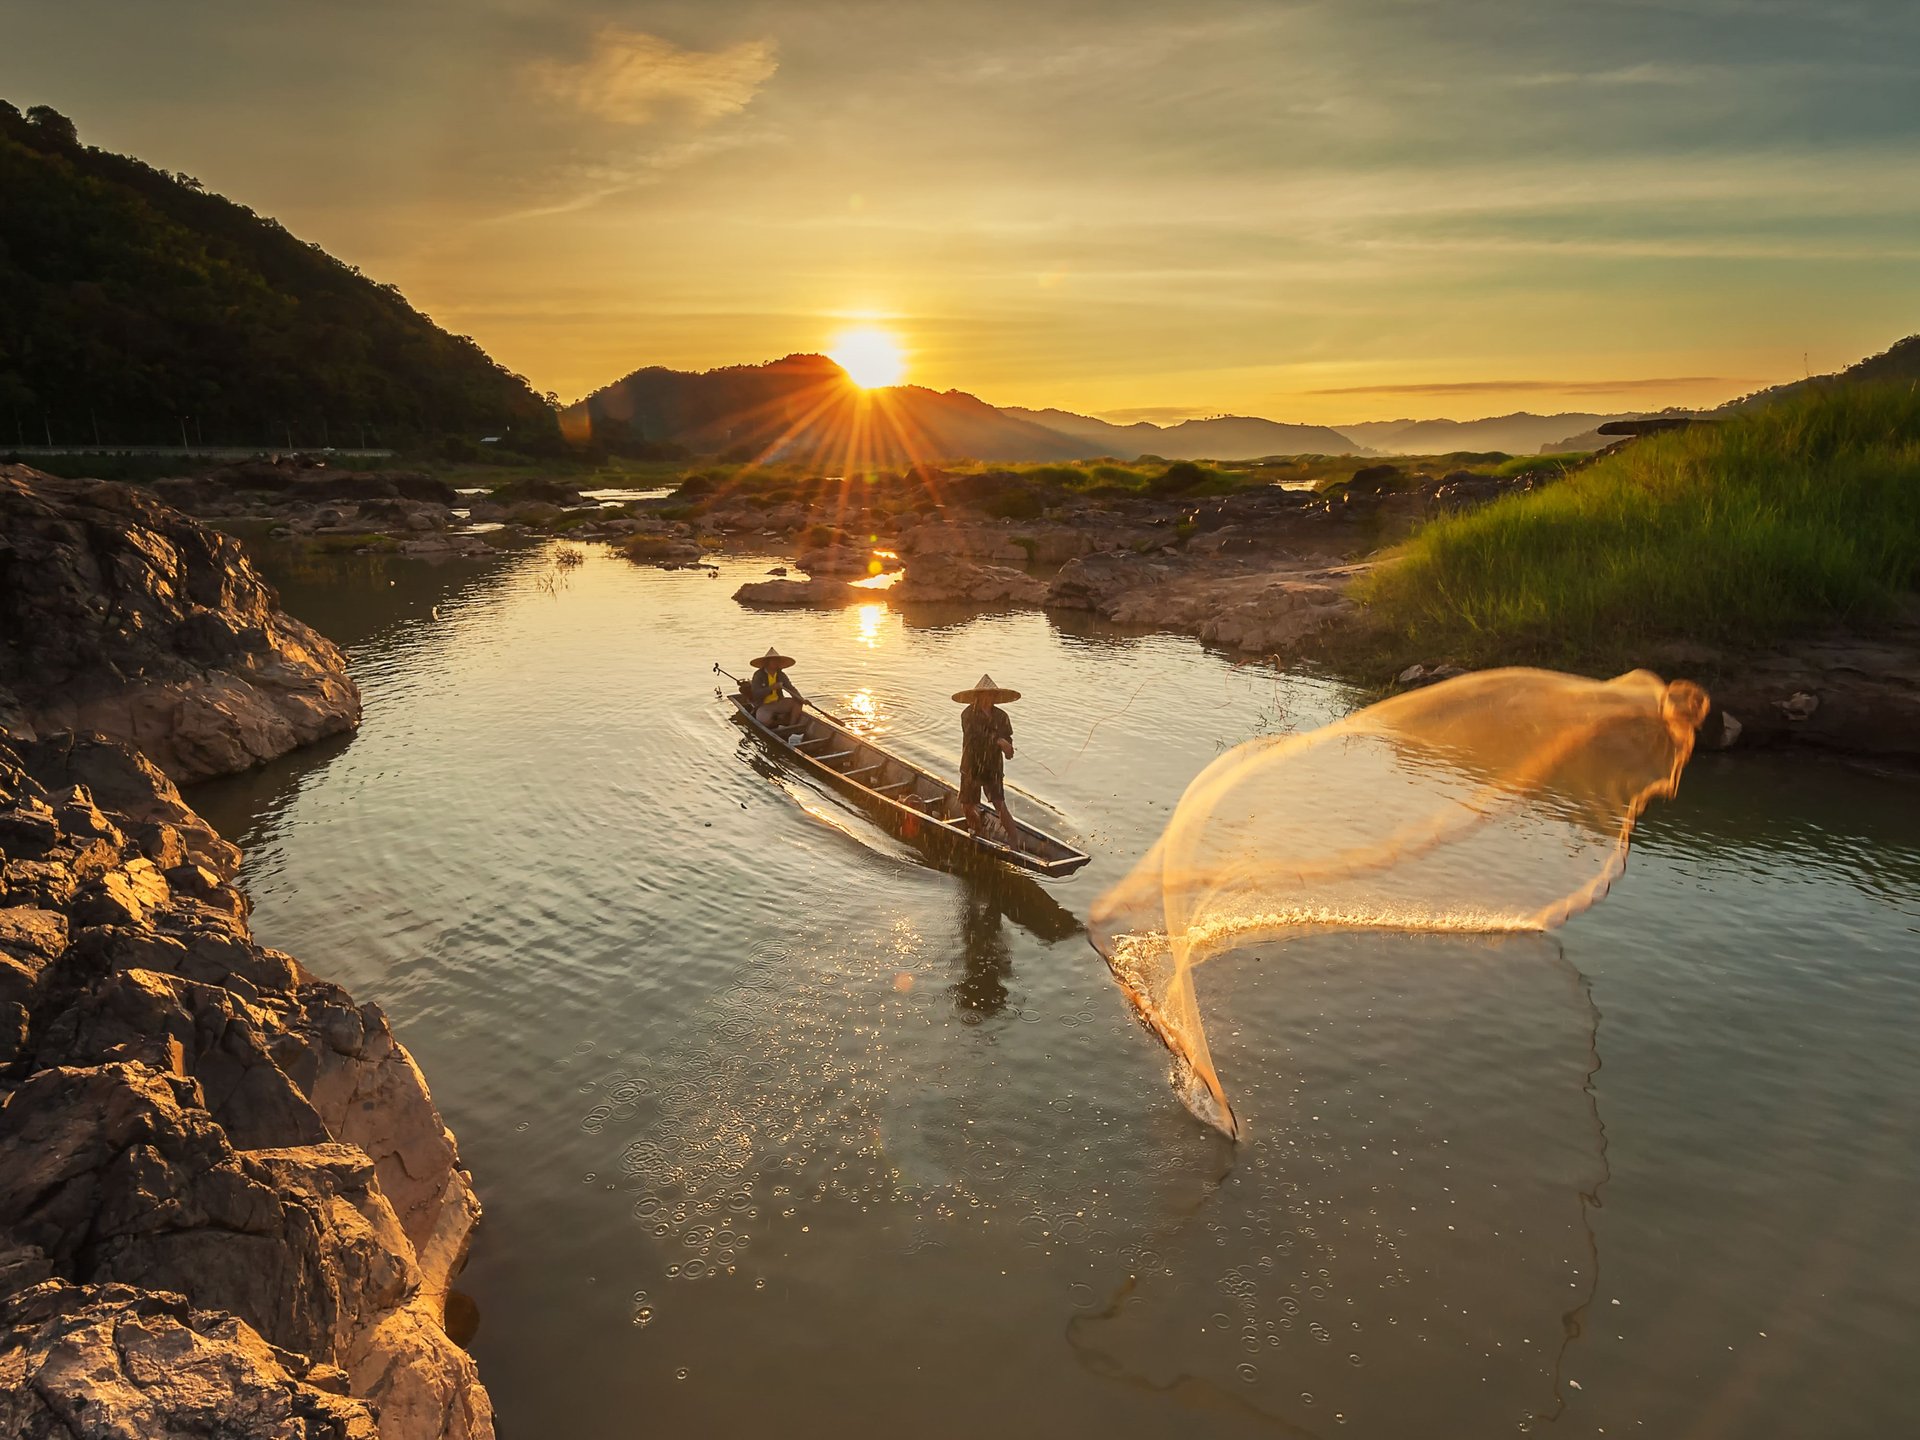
column 228, row 1203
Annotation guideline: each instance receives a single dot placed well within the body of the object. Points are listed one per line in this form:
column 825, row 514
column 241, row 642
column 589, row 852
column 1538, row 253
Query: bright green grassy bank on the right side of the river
column 1744, row 533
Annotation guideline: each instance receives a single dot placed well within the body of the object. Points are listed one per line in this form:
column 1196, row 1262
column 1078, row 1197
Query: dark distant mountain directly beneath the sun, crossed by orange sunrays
column 804, row 408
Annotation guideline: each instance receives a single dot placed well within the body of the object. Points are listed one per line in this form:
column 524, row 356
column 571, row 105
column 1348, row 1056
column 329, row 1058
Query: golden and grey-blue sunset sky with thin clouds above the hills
column 1310, row 210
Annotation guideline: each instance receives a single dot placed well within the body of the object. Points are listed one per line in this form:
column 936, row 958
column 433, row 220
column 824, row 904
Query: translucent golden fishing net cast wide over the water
column 1497, row 802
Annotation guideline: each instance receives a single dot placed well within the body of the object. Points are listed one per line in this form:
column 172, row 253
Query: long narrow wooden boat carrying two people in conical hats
column 913, row 804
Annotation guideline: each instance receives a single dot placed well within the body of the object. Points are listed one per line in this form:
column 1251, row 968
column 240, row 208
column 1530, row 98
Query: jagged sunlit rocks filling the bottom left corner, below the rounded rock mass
column 206, row 1153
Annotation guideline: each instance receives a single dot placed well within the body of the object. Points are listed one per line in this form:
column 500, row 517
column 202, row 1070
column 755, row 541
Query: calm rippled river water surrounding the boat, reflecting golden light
column 782, row 1132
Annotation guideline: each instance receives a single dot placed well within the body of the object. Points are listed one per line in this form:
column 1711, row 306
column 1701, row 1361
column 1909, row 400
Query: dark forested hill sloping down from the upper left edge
column 133, row 300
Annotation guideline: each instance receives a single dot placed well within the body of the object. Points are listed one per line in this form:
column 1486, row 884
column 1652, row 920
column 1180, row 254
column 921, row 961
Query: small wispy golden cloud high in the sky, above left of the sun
column 633, row 76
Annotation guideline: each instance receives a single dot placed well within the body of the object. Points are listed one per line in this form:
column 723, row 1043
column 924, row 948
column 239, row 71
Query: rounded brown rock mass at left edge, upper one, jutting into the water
column 122, row 615
